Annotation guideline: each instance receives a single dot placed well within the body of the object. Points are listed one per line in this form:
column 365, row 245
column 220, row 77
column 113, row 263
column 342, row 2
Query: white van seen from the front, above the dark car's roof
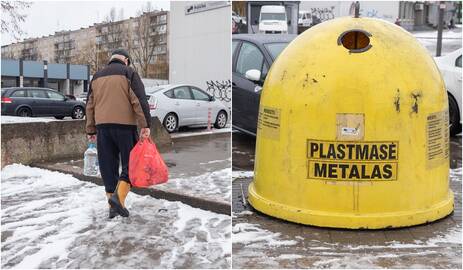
column 273, row 20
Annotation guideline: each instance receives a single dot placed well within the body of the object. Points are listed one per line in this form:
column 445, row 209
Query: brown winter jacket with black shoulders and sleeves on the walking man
column 116, row 98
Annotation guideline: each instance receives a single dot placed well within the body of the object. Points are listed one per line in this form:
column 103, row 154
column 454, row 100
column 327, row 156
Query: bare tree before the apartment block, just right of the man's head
column 145, row 41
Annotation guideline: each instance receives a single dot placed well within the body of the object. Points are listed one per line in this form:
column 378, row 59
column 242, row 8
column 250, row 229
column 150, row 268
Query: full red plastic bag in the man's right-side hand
column 146, row 166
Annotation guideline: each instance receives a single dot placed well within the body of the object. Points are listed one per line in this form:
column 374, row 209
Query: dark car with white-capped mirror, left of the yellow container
column 253, row 54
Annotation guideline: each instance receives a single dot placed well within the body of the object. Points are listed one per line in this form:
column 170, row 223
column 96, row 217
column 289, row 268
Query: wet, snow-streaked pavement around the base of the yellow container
column 287, row 245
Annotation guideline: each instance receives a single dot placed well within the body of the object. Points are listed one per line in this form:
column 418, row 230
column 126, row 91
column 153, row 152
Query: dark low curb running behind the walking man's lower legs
column 213, row 206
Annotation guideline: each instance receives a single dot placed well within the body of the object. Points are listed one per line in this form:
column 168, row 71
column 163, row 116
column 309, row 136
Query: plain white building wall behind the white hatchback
column 200, row 47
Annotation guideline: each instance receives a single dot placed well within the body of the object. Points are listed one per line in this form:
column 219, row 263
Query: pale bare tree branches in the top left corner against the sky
column 12, row 17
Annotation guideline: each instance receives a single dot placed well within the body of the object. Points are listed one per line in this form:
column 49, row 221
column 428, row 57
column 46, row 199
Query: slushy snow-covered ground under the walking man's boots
column 52, row 220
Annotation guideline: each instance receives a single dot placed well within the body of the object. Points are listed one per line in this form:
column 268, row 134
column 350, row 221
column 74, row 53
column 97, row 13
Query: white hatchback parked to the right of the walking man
column 185, row 105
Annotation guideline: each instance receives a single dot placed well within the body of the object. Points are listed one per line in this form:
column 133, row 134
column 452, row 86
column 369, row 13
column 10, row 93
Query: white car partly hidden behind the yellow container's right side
column 450, row 68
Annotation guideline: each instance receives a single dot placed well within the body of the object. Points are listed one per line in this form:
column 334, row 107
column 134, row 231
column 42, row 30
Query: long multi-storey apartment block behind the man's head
column 144, row 36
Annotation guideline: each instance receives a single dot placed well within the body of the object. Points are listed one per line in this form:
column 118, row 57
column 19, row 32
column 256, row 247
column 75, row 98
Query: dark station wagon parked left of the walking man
column 33, row 101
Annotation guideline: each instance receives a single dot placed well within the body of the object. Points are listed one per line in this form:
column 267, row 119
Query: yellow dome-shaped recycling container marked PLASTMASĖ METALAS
column 353, row 130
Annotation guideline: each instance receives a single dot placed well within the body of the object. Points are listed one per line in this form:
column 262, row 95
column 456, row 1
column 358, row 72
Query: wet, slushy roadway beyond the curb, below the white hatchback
column 198, row 167
